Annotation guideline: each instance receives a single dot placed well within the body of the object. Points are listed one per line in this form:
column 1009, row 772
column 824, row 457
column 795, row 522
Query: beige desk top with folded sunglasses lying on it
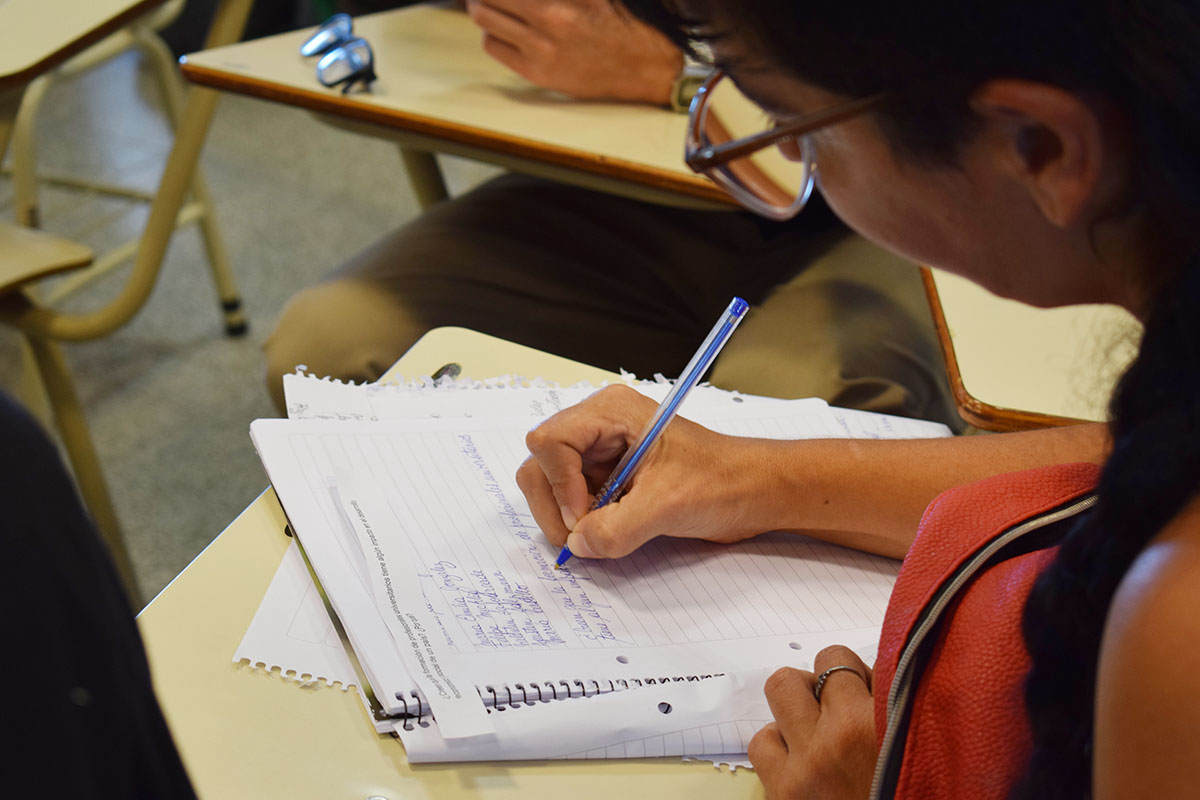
column 436, row 82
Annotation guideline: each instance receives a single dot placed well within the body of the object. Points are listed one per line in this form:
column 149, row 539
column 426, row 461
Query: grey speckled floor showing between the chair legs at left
column 170, row 399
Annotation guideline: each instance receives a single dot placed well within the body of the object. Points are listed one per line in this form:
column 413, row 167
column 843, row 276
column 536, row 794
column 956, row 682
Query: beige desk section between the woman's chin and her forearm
column 1015, row 368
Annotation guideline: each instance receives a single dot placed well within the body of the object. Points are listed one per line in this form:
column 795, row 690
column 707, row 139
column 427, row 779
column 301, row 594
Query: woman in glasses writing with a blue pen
column 1043, row 639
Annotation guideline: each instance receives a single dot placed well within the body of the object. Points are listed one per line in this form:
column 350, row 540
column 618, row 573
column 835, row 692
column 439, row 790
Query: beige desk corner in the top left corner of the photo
column 40, row 34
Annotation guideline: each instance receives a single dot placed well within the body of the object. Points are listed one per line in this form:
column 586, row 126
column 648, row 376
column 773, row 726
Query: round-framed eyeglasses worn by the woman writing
column 735, row 143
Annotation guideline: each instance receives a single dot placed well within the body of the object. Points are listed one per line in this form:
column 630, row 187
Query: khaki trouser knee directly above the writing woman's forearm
column 855, row 329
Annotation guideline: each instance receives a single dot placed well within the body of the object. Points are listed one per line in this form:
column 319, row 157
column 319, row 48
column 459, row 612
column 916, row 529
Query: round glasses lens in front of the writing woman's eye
column 776, row 181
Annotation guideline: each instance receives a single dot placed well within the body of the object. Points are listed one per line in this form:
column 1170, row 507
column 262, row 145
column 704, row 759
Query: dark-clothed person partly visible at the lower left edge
column 81, row 717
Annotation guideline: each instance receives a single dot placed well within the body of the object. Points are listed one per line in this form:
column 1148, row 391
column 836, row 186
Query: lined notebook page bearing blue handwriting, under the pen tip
column 500, row 616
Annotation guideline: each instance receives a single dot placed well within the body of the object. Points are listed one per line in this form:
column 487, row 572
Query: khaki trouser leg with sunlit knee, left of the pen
column 585, row 275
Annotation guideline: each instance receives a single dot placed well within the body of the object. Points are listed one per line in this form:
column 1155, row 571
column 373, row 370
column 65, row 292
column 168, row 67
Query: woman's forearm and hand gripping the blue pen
column 704, row 485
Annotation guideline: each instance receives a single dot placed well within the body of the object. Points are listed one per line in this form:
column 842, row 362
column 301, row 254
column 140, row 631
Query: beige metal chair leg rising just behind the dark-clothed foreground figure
column 76, row 437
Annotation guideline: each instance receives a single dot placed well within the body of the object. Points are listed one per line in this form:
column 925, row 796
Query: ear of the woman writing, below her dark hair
column 1052, row 142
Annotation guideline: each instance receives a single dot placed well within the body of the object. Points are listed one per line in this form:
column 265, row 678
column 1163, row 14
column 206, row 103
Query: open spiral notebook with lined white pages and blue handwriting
column 479, row 649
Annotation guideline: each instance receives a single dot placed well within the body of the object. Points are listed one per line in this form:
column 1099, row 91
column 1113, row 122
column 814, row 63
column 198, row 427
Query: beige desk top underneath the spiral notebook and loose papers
column 248, row 735
